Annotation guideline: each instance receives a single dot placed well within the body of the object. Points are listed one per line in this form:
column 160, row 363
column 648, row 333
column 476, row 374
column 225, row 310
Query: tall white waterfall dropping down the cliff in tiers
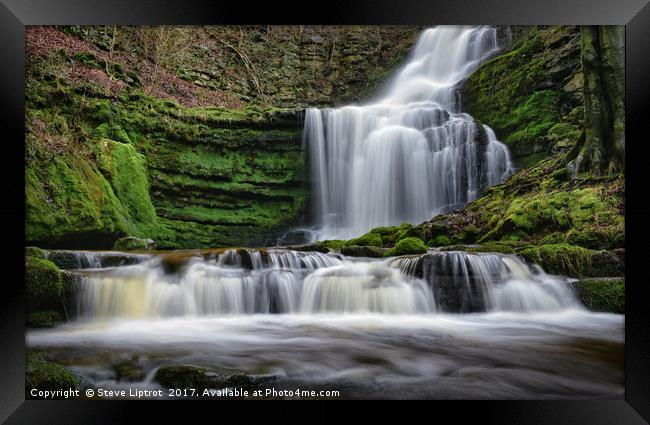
column 411, row 153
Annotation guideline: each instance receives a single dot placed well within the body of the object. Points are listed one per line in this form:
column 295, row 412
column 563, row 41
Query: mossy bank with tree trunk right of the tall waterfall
column 568, row 218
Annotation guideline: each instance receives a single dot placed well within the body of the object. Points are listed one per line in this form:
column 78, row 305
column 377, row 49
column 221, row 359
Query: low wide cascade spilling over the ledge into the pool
column 282, row 281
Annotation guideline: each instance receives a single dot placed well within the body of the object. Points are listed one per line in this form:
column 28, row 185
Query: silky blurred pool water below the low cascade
column 572, row 354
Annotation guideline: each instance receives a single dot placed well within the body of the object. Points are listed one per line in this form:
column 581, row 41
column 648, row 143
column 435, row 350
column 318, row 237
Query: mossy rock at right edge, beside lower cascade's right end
column 606, row 295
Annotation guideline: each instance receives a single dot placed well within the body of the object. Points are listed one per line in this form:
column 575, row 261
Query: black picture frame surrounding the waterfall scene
column 634, row 14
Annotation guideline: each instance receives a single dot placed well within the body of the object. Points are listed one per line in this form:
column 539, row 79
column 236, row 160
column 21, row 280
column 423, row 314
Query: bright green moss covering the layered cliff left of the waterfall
column 168, row 166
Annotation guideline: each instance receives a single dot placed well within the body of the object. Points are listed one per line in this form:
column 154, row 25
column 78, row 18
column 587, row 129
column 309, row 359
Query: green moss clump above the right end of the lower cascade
column 562, row 259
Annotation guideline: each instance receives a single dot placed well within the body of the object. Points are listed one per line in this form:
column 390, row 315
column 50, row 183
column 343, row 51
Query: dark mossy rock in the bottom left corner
column 44, row 375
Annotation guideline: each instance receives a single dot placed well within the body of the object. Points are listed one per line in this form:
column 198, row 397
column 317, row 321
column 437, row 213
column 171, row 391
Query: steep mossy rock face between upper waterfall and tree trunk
column 531, row 93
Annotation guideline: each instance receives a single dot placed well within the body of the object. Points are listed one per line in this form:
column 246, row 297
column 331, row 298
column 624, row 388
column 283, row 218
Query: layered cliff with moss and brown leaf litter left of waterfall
column 189, row 136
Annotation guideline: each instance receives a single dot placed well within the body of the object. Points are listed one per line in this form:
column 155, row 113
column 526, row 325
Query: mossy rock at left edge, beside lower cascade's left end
column 44, row 285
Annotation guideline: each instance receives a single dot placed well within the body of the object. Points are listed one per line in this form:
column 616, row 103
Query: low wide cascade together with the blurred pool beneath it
column 437, row 325
